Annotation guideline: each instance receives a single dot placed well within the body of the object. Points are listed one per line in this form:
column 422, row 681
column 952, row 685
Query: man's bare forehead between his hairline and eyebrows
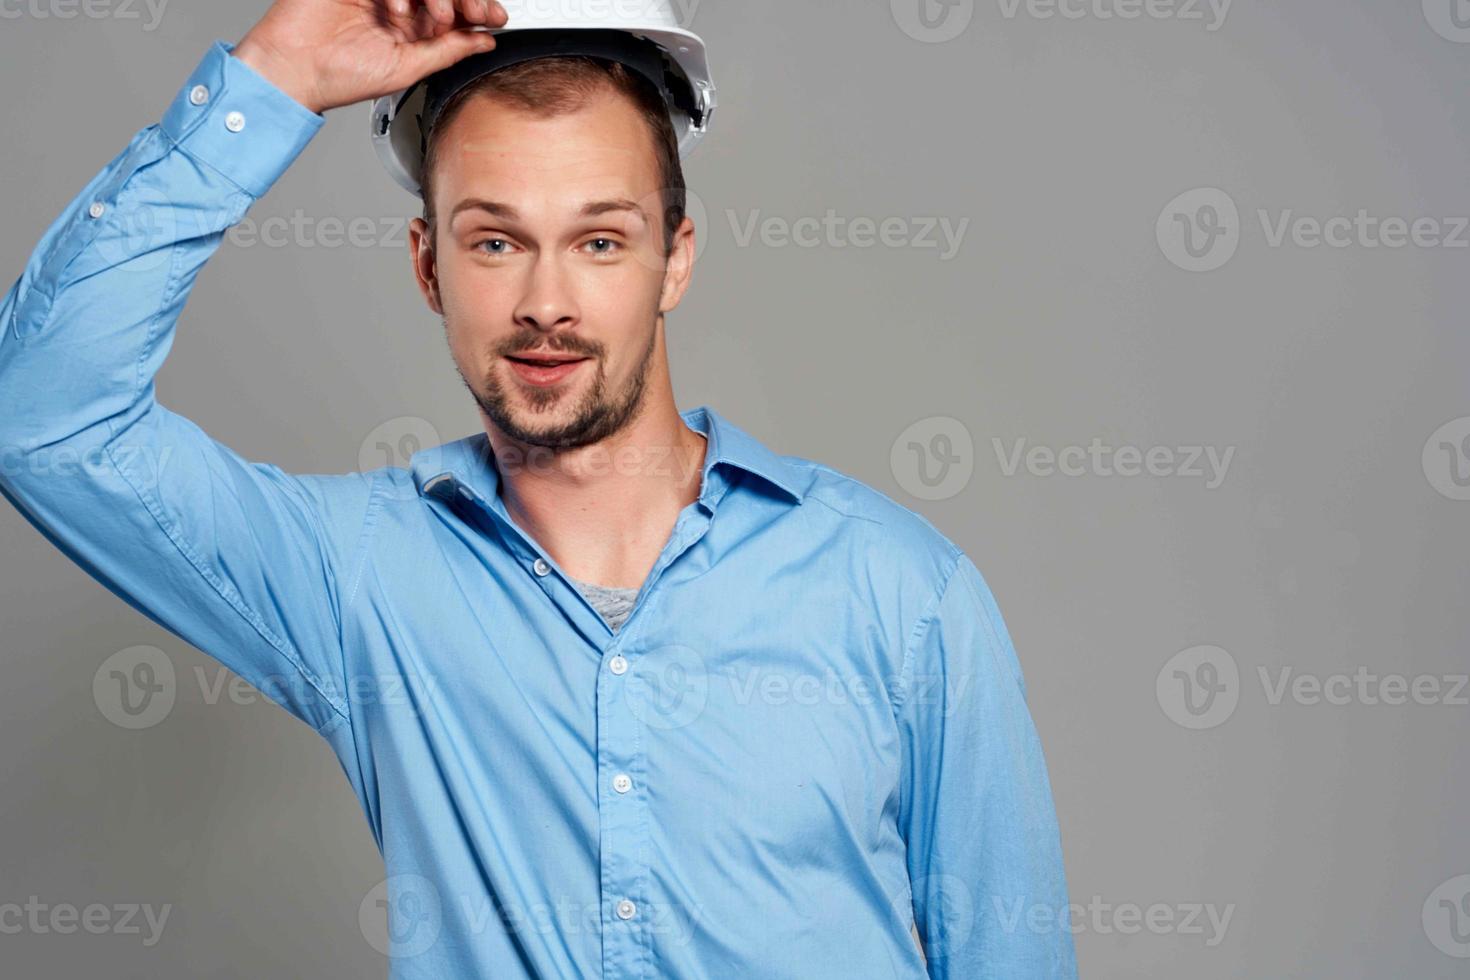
column 493, row 149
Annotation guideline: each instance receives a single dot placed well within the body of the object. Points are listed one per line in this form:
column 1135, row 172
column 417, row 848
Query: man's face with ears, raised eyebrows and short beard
column 551, row 246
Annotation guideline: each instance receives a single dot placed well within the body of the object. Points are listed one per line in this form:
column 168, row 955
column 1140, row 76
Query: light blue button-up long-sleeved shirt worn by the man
column 809, row 738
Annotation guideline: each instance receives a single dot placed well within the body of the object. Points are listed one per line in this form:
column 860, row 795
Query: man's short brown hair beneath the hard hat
column 558, row 84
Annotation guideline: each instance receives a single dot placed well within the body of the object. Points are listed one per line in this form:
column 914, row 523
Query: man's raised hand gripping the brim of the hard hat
column 329, row 54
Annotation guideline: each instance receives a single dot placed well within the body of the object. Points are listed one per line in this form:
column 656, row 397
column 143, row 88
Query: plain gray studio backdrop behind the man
column 1327, row 549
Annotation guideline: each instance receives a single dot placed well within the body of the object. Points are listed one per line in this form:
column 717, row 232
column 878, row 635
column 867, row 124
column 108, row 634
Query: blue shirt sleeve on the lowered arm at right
column 984, row 850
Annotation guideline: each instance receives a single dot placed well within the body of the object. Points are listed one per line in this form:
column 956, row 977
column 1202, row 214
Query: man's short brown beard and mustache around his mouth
column 599, row 414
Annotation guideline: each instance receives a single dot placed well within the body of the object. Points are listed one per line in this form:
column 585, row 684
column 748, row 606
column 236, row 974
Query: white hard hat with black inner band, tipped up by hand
column 646, row 36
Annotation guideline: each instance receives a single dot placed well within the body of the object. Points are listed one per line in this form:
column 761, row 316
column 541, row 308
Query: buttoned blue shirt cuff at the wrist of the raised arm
column 232, row 118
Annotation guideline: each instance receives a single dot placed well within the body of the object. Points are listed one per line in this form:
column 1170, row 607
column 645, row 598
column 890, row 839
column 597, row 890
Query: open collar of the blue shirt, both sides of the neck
column 468, row 466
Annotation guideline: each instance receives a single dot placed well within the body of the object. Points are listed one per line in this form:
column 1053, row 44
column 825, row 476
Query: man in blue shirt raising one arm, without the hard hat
column 623, row 691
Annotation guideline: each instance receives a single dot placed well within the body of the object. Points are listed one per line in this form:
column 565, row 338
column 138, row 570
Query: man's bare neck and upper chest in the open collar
column 605, row 512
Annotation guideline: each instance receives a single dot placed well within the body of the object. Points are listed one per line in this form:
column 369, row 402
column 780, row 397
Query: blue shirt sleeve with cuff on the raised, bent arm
column 239, row 559
